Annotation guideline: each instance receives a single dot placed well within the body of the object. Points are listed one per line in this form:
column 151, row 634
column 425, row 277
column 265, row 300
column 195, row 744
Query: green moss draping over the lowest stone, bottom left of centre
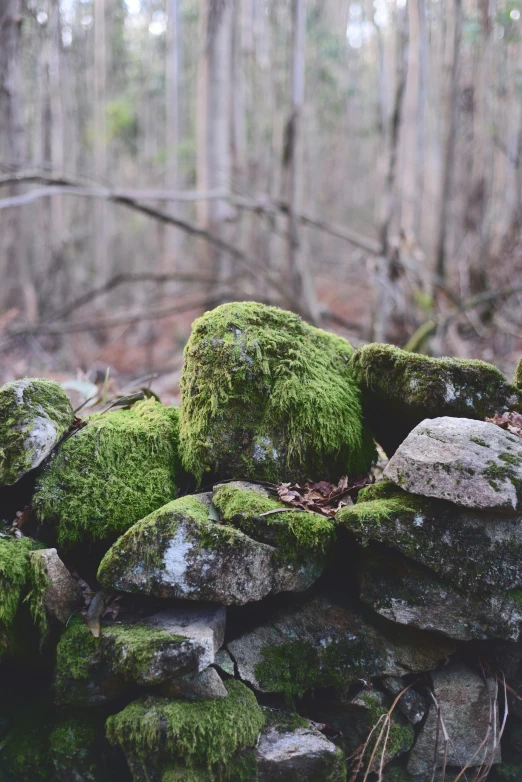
column 201, row 734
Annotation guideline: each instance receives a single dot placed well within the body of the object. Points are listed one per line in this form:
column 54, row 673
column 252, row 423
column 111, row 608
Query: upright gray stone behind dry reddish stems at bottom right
column 465, row 708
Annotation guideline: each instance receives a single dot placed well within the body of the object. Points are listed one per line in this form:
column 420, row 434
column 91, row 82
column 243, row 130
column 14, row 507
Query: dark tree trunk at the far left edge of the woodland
column 14, row 247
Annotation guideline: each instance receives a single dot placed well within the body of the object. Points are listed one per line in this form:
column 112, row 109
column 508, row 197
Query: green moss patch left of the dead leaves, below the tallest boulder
column 295, row 533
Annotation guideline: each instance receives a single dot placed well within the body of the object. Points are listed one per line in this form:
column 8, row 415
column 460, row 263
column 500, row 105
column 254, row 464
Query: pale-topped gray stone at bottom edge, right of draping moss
column 299, row 754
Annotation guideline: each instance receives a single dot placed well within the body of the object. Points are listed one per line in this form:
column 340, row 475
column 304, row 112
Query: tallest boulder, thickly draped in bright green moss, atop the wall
column 266, row 396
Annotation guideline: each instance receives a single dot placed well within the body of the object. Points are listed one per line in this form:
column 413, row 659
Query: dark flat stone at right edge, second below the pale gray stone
column 404, row 593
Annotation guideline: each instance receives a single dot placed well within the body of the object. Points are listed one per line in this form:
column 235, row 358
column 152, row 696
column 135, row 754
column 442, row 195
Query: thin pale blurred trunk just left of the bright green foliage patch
column 100, row 139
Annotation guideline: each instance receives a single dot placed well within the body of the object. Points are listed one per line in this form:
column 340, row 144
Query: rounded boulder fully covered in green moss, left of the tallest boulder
column 109, row 474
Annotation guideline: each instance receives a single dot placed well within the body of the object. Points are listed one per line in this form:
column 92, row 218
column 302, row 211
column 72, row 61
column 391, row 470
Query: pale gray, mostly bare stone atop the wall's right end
column 471, row 463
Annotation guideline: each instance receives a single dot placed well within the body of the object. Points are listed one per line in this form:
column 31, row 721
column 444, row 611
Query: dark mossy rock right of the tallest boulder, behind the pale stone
column 401, row 389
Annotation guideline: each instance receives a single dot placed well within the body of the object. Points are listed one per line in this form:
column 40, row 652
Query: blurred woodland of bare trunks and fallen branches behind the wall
column 357, row 162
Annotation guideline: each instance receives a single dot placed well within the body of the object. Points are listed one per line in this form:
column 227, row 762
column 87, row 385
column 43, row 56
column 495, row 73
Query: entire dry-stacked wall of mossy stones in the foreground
column 231, row 636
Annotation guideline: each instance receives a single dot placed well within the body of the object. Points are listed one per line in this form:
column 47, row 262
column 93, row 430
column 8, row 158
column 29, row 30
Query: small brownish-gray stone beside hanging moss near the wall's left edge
column 63, row 594
